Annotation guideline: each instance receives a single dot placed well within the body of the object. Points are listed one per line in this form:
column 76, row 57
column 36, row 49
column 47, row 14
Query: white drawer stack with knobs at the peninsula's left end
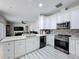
column 8, row 50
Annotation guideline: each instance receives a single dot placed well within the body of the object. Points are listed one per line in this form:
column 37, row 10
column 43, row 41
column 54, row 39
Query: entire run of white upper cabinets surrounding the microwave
column 72, row 15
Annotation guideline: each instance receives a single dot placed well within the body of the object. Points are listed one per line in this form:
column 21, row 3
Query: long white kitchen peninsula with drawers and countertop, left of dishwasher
column 17, row 46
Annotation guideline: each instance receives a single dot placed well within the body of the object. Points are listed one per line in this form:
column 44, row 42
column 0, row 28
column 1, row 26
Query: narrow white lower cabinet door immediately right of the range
column 72, row 46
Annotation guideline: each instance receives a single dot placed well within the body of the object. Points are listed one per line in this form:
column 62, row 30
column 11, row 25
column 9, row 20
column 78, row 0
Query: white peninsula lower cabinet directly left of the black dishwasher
column 32, row 43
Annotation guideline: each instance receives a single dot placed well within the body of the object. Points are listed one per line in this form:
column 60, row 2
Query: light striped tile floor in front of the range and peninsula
column 48, row 52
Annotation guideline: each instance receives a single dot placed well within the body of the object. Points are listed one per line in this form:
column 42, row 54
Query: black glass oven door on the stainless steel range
column 62, row 45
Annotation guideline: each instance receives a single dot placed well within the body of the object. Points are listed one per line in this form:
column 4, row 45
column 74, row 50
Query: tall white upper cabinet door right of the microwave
column 75, row 19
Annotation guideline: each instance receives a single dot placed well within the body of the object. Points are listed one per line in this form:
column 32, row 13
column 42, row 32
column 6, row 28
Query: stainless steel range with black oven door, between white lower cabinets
column 62, row 43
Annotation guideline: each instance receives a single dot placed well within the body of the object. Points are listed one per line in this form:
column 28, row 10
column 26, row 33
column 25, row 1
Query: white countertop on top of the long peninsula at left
column 13, row 38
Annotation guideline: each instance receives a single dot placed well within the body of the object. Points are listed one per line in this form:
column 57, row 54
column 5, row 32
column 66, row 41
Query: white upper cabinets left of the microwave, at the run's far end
column 48, row 22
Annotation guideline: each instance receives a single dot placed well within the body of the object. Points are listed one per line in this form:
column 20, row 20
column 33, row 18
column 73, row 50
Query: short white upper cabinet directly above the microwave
column 63, row 16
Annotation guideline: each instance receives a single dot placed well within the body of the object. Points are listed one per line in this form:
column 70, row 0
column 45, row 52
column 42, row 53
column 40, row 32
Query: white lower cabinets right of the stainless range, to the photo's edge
column 74, row 46
